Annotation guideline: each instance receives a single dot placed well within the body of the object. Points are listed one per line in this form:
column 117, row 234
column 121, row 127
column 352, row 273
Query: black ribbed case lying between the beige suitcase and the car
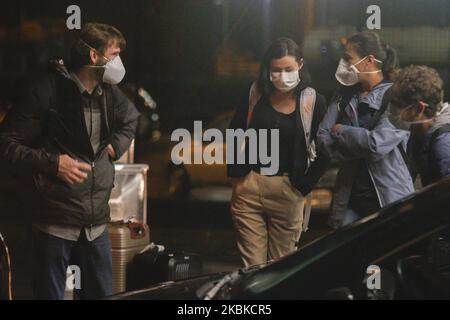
column 154, row 265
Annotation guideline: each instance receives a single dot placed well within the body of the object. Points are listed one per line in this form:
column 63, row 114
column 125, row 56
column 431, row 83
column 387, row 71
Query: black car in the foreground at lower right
column 401, row 252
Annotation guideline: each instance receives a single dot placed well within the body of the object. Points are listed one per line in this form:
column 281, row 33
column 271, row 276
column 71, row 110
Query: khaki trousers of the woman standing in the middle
column 268, row 215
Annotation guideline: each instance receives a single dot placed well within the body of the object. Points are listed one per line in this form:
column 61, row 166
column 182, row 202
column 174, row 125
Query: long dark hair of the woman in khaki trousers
column 278, row 49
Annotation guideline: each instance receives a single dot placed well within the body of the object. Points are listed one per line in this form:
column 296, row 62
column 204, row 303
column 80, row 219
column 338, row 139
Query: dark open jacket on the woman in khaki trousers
column 301, row 178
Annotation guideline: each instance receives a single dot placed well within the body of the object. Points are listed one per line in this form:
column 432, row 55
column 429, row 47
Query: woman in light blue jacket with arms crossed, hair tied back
column 356, row 132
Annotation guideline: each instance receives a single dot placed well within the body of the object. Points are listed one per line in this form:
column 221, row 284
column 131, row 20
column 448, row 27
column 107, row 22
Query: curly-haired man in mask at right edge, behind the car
column 417, row 105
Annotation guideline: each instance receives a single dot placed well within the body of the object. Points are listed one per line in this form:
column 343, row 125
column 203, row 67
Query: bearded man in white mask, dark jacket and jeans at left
column 65, row 135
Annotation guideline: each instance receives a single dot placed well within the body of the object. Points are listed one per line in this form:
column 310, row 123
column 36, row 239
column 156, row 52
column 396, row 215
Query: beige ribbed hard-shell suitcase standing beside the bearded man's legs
column 127, row 240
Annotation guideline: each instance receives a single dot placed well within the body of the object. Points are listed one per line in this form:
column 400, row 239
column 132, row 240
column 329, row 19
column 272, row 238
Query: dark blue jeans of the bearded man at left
column 52, row 256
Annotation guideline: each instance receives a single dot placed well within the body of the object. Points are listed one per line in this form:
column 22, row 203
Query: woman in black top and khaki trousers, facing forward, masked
column 267, row 209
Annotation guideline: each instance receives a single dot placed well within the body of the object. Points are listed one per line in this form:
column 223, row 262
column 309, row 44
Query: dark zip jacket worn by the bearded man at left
column 49, row 122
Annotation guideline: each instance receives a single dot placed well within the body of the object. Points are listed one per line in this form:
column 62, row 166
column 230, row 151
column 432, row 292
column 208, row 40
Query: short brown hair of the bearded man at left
column 95, row 35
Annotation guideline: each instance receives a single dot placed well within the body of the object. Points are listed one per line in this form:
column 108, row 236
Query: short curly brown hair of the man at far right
column 415, row 83
